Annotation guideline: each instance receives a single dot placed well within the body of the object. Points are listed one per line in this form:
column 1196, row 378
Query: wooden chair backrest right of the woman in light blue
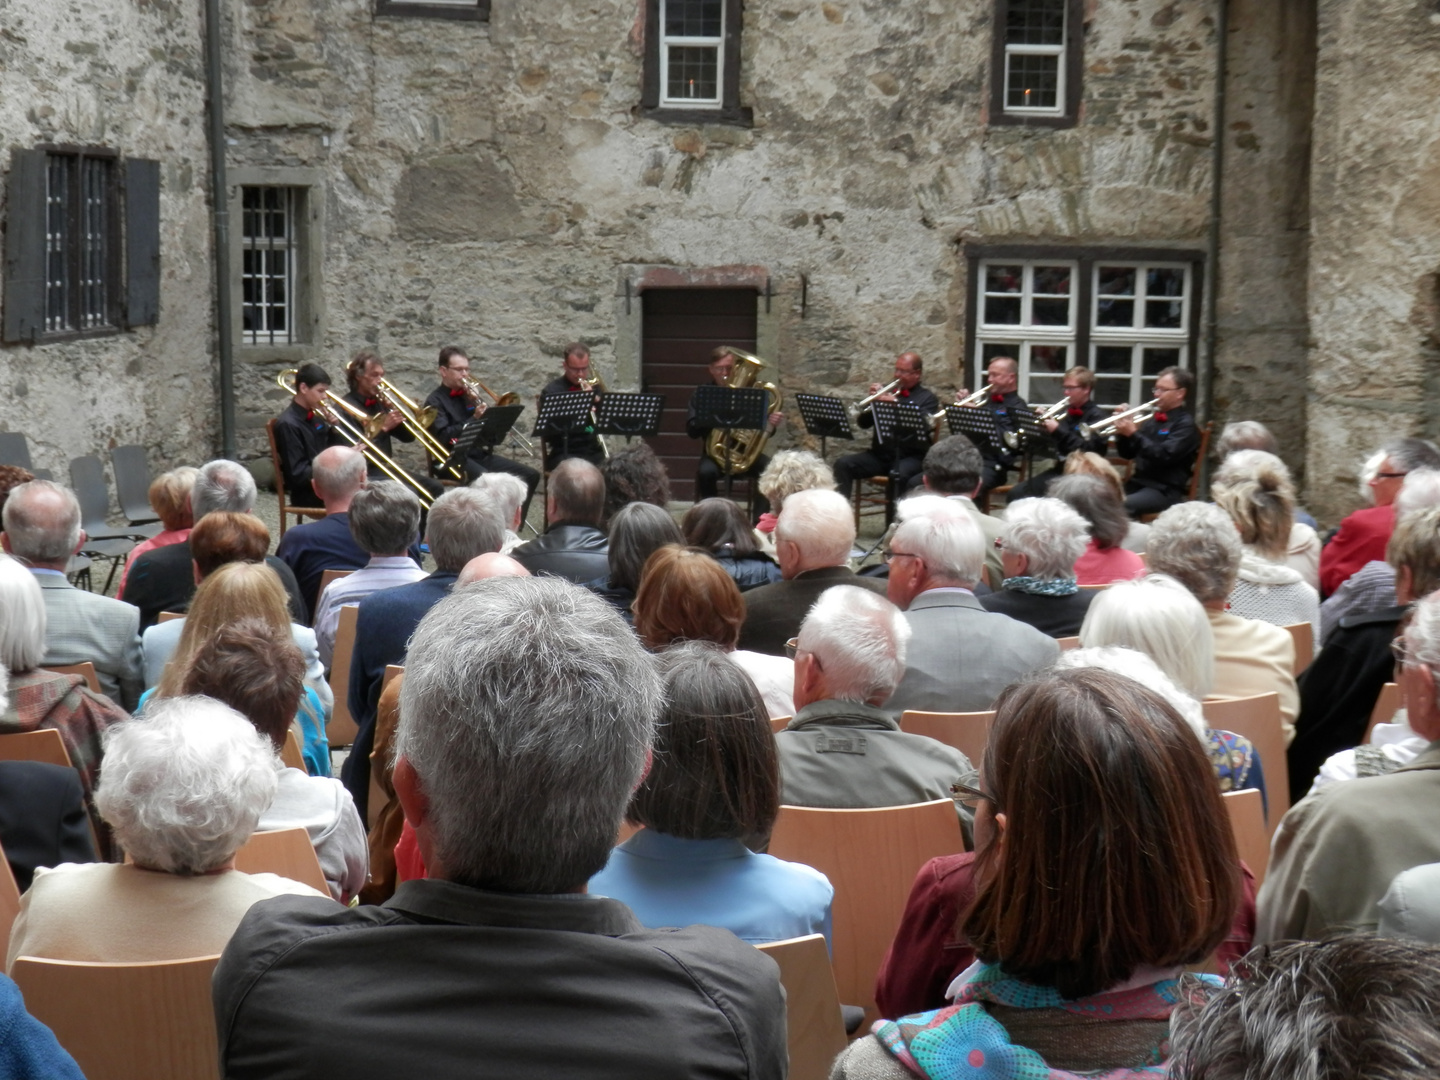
column 870, row 858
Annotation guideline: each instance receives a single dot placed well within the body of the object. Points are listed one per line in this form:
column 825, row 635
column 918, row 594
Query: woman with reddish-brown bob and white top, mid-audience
column 685, row 595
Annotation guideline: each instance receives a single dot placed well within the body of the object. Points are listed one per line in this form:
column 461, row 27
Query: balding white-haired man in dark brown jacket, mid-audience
column 813, row 544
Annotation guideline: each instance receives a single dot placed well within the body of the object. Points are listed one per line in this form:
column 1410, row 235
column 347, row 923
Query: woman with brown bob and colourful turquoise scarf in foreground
column 1078, row 934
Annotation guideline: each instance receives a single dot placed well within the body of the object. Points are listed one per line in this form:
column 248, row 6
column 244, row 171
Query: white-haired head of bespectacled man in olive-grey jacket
column 860, row 640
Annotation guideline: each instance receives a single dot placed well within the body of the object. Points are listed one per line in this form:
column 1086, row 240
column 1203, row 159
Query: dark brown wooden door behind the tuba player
column 680, row 330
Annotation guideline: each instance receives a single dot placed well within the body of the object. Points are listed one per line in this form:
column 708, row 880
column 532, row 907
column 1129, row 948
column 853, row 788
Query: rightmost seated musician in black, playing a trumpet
column 1164, row 447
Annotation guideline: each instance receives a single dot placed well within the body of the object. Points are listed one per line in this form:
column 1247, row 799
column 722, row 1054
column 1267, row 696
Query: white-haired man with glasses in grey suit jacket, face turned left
column 961, row 656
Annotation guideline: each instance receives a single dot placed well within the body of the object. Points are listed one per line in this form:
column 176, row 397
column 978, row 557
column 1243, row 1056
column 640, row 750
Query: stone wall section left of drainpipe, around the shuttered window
column 125, row 76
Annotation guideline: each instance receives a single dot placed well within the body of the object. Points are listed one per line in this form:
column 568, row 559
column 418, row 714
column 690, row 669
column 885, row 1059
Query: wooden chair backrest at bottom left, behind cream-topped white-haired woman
column 127, row 1022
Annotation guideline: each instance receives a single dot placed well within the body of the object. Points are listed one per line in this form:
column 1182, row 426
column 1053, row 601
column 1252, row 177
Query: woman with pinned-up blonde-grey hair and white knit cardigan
column 1279, row 562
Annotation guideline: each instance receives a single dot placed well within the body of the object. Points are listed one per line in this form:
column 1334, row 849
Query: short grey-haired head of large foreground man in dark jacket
column 531, row 737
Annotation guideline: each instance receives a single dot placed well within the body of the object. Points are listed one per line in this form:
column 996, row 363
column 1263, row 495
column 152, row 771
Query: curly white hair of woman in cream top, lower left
column 185, row 784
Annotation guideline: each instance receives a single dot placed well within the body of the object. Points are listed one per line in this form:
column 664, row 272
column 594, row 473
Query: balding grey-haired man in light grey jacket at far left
column 42, row 526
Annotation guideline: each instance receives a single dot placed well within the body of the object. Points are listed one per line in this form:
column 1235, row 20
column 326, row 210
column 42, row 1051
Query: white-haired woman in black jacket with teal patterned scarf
column 1039, row 549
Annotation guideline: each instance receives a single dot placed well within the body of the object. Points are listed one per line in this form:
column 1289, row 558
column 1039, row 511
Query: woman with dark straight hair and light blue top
column 715, row 786
